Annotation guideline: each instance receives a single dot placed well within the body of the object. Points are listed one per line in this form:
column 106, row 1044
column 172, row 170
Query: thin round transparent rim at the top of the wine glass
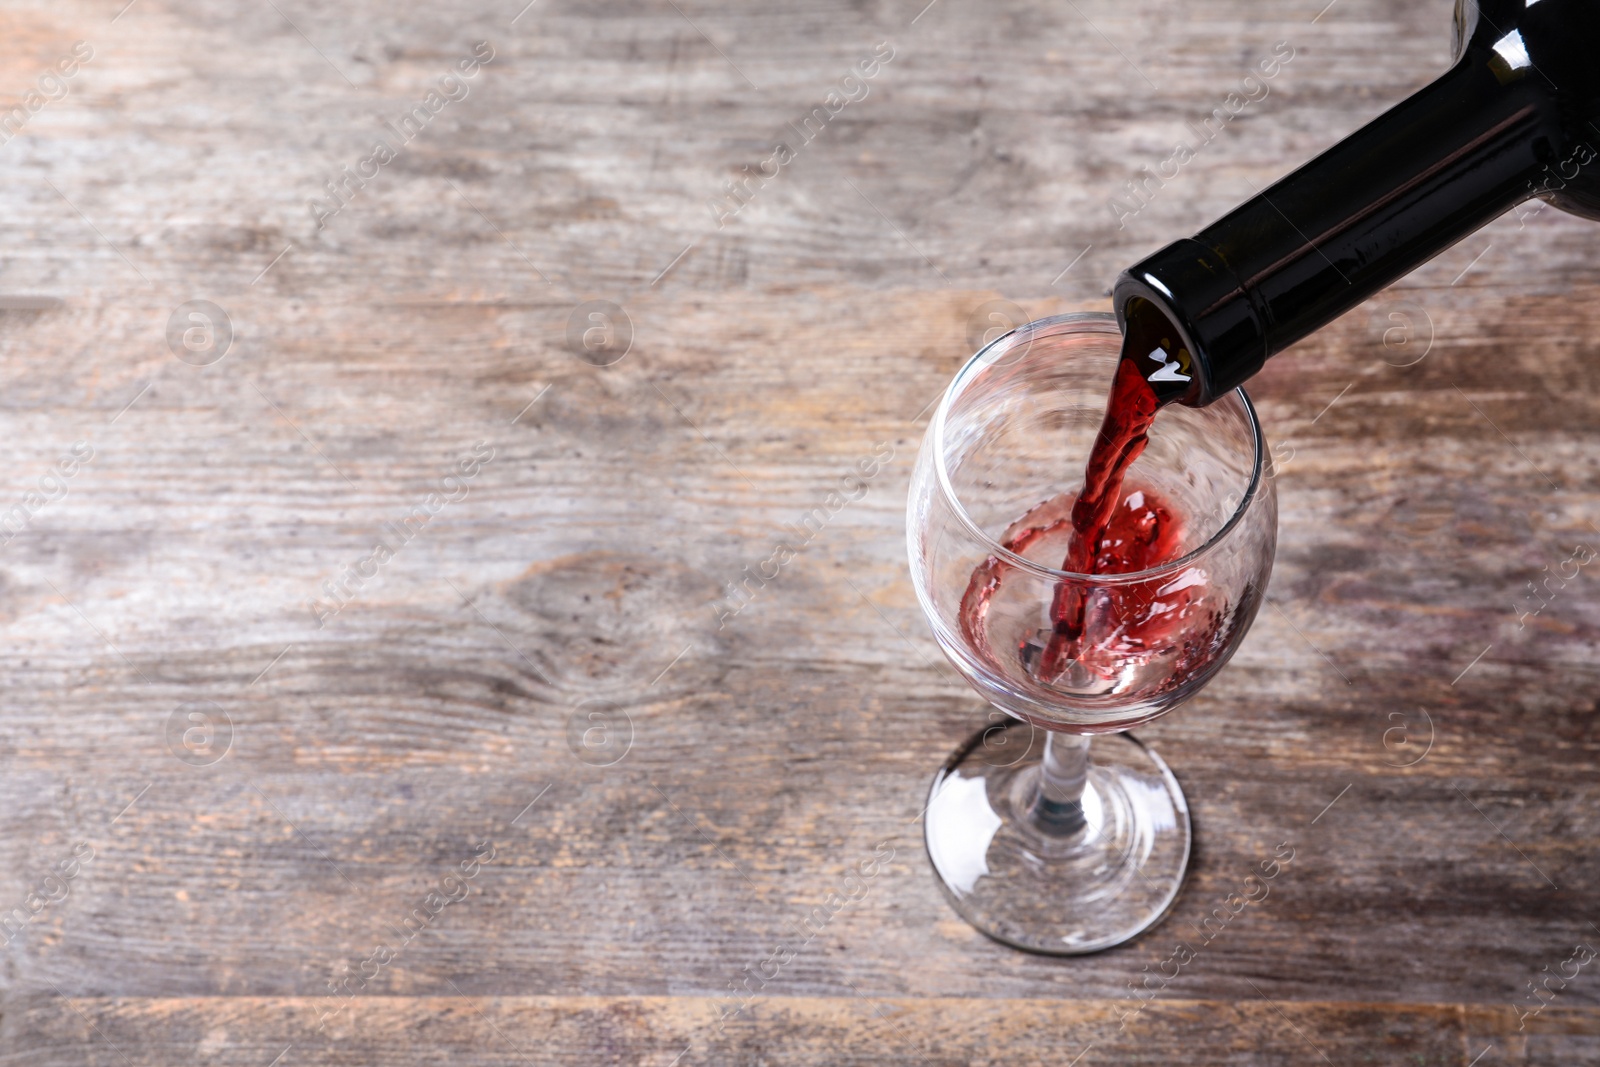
column 969, row 374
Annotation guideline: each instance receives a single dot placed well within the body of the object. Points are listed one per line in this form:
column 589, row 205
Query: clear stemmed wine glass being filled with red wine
column 1041, row 839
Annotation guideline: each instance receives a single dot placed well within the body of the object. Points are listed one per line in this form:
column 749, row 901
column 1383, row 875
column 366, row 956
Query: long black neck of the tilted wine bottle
column 1364, row 214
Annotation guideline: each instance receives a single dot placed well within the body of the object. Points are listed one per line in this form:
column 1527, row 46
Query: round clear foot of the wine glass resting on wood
column 1052, row 879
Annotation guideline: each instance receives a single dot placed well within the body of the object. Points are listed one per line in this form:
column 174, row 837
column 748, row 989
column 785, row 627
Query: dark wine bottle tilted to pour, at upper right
column 1516, row 118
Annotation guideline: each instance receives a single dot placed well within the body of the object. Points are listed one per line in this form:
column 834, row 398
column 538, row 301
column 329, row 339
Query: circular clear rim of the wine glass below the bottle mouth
column 993, row 358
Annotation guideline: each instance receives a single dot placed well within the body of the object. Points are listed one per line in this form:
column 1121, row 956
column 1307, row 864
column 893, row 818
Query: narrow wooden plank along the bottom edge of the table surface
column 862, row 1029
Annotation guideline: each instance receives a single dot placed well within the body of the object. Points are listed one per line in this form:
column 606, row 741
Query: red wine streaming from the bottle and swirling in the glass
column 1111, row 647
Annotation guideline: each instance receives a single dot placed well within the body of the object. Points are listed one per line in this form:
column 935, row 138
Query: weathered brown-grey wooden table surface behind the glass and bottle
column 534, row 794
